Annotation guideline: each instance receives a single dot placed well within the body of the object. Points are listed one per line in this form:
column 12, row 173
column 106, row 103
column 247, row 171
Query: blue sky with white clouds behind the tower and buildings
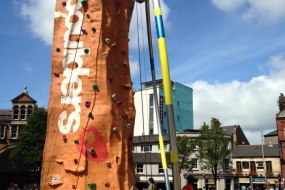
column 230, row 52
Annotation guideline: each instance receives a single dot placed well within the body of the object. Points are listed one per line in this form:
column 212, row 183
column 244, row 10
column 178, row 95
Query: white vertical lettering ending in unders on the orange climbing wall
column 71, row 85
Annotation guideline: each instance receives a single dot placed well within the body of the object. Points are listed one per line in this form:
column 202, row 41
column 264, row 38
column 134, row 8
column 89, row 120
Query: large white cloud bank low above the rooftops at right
column 252, row 104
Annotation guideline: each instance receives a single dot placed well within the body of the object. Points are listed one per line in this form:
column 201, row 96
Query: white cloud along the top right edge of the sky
column 272, row 11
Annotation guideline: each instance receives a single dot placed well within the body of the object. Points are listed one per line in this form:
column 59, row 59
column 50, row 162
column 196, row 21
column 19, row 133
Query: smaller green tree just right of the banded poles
column 185, row 146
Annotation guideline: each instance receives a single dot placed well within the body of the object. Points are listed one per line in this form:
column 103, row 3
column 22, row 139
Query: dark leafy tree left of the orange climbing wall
column 28, row 153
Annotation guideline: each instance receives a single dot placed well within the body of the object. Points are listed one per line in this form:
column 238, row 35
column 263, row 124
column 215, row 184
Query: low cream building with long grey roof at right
column 256, row 165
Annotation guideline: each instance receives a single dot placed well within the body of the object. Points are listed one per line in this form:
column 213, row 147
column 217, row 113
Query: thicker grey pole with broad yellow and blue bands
column 167, row 93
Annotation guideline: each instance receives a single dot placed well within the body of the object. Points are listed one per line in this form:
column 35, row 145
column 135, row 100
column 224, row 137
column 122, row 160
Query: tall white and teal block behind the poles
column 146, row 119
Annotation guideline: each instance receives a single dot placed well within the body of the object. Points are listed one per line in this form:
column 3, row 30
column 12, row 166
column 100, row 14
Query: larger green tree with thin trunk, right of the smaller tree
column 212, row 149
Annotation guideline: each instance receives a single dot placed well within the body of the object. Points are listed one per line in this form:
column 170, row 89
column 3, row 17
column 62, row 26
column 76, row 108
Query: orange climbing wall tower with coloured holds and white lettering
column 91, row 110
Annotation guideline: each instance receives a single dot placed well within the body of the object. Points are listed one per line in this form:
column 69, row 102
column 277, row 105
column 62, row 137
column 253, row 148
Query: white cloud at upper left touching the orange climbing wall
column 39, row 15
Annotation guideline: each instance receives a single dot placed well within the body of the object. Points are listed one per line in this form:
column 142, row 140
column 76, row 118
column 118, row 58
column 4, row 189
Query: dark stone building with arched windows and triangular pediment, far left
column 11, row 122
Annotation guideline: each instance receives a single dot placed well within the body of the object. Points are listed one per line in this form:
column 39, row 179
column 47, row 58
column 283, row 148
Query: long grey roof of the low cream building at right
column 246, row 151
